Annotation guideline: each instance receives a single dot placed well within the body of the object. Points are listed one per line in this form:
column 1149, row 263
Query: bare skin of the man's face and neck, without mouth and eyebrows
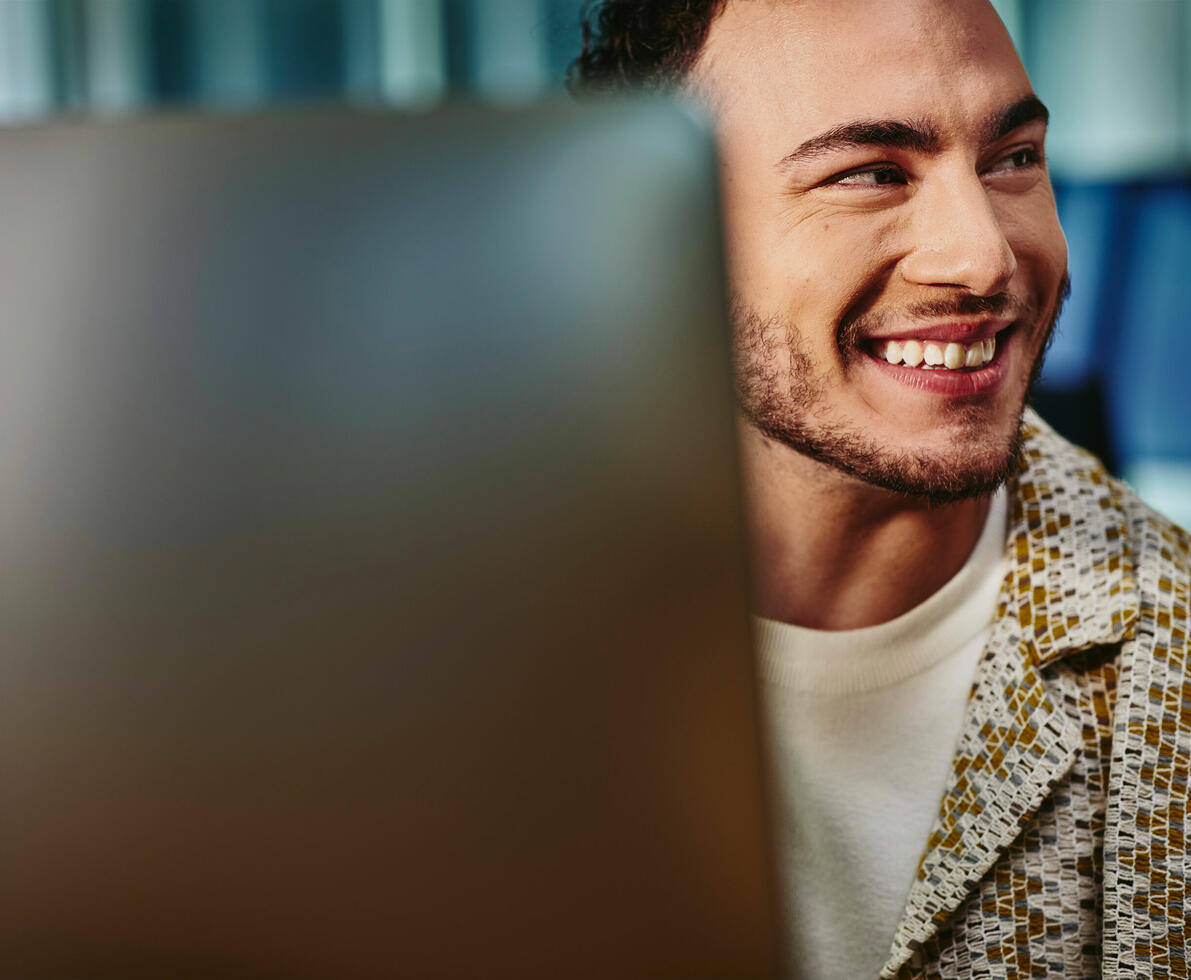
column 847, row 463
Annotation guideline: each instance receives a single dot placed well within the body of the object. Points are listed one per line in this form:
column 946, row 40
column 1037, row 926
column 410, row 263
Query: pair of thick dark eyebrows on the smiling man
column 919, row 136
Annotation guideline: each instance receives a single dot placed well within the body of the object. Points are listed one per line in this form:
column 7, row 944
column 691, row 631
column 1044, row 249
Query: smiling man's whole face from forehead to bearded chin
column 886, row 202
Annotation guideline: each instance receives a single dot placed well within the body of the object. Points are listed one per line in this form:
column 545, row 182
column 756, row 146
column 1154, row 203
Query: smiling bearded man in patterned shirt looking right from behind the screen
column 974, row 642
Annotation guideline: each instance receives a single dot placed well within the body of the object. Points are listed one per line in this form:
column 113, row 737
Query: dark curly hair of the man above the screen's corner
column 639, row 45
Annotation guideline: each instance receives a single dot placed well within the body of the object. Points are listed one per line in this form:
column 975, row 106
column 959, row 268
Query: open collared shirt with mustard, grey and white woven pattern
column 1059, row 850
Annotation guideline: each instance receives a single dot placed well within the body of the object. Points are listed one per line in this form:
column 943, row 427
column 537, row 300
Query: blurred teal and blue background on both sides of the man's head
column 1117, row 76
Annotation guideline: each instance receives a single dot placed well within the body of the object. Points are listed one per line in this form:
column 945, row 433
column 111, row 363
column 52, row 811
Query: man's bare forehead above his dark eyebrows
column 797, row 67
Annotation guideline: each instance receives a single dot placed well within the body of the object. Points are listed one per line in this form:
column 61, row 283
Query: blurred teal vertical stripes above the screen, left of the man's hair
column 120, row 55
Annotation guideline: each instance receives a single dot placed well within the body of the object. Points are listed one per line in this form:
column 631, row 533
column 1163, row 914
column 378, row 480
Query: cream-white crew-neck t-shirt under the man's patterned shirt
column 863, row 726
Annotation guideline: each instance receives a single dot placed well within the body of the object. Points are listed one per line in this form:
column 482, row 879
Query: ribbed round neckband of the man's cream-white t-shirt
column 874, row 658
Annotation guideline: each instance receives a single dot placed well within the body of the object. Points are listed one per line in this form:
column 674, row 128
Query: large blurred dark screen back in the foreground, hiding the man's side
column 371, row 601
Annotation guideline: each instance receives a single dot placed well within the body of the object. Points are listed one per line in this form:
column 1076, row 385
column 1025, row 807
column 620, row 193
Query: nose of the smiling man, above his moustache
column 958, row 240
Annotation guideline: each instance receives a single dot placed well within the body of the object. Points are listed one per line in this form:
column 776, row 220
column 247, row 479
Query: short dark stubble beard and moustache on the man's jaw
column 781, row 394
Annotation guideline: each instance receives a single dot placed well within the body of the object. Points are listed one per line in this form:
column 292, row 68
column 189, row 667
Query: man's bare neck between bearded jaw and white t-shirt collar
column 831, row 553
